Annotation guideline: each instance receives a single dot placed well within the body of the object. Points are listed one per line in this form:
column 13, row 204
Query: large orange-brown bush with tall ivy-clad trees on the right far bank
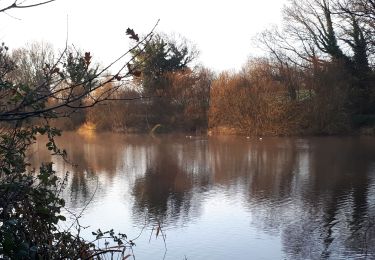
column 317, row 76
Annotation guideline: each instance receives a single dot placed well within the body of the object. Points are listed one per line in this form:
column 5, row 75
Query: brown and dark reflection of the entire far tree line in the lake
column 315, row 193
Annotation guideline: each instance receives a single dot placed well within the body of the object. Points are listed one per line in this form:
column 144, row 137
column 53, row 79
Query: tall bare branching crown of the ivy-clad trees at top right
column 318, row 32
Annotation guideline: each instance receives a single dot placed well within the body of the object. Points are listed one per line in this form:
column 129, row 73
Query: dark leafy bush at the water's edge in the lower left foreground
column 31, row 206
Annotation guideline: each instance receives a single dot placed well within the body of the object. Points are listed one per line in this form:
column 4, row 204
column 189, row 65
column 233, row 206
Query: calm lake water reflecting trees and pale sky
column 225, row 197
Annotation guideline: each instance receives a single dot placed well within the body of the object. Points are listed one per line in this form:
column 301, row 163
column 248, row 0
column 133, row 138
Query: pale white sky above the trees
column 222, row 30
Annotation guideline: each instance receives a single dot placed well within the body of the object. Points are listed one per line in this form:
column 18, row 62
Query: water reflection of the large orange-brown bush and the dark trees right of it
column 315, row 192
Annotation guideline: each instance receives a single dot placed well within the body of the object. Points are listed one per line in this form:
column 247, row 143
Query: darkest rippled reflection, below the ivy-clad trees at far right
column 336, row 199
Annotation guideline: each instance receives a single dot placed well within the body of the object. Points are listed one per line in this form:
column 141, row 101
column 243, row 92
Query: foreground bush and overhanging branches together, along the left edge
column 31, row 207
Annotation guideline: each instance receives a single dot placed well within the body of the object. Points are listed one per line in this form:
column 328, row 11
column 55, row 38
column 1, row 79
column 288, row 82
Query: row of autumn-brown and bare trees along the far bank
column 316, row 77
